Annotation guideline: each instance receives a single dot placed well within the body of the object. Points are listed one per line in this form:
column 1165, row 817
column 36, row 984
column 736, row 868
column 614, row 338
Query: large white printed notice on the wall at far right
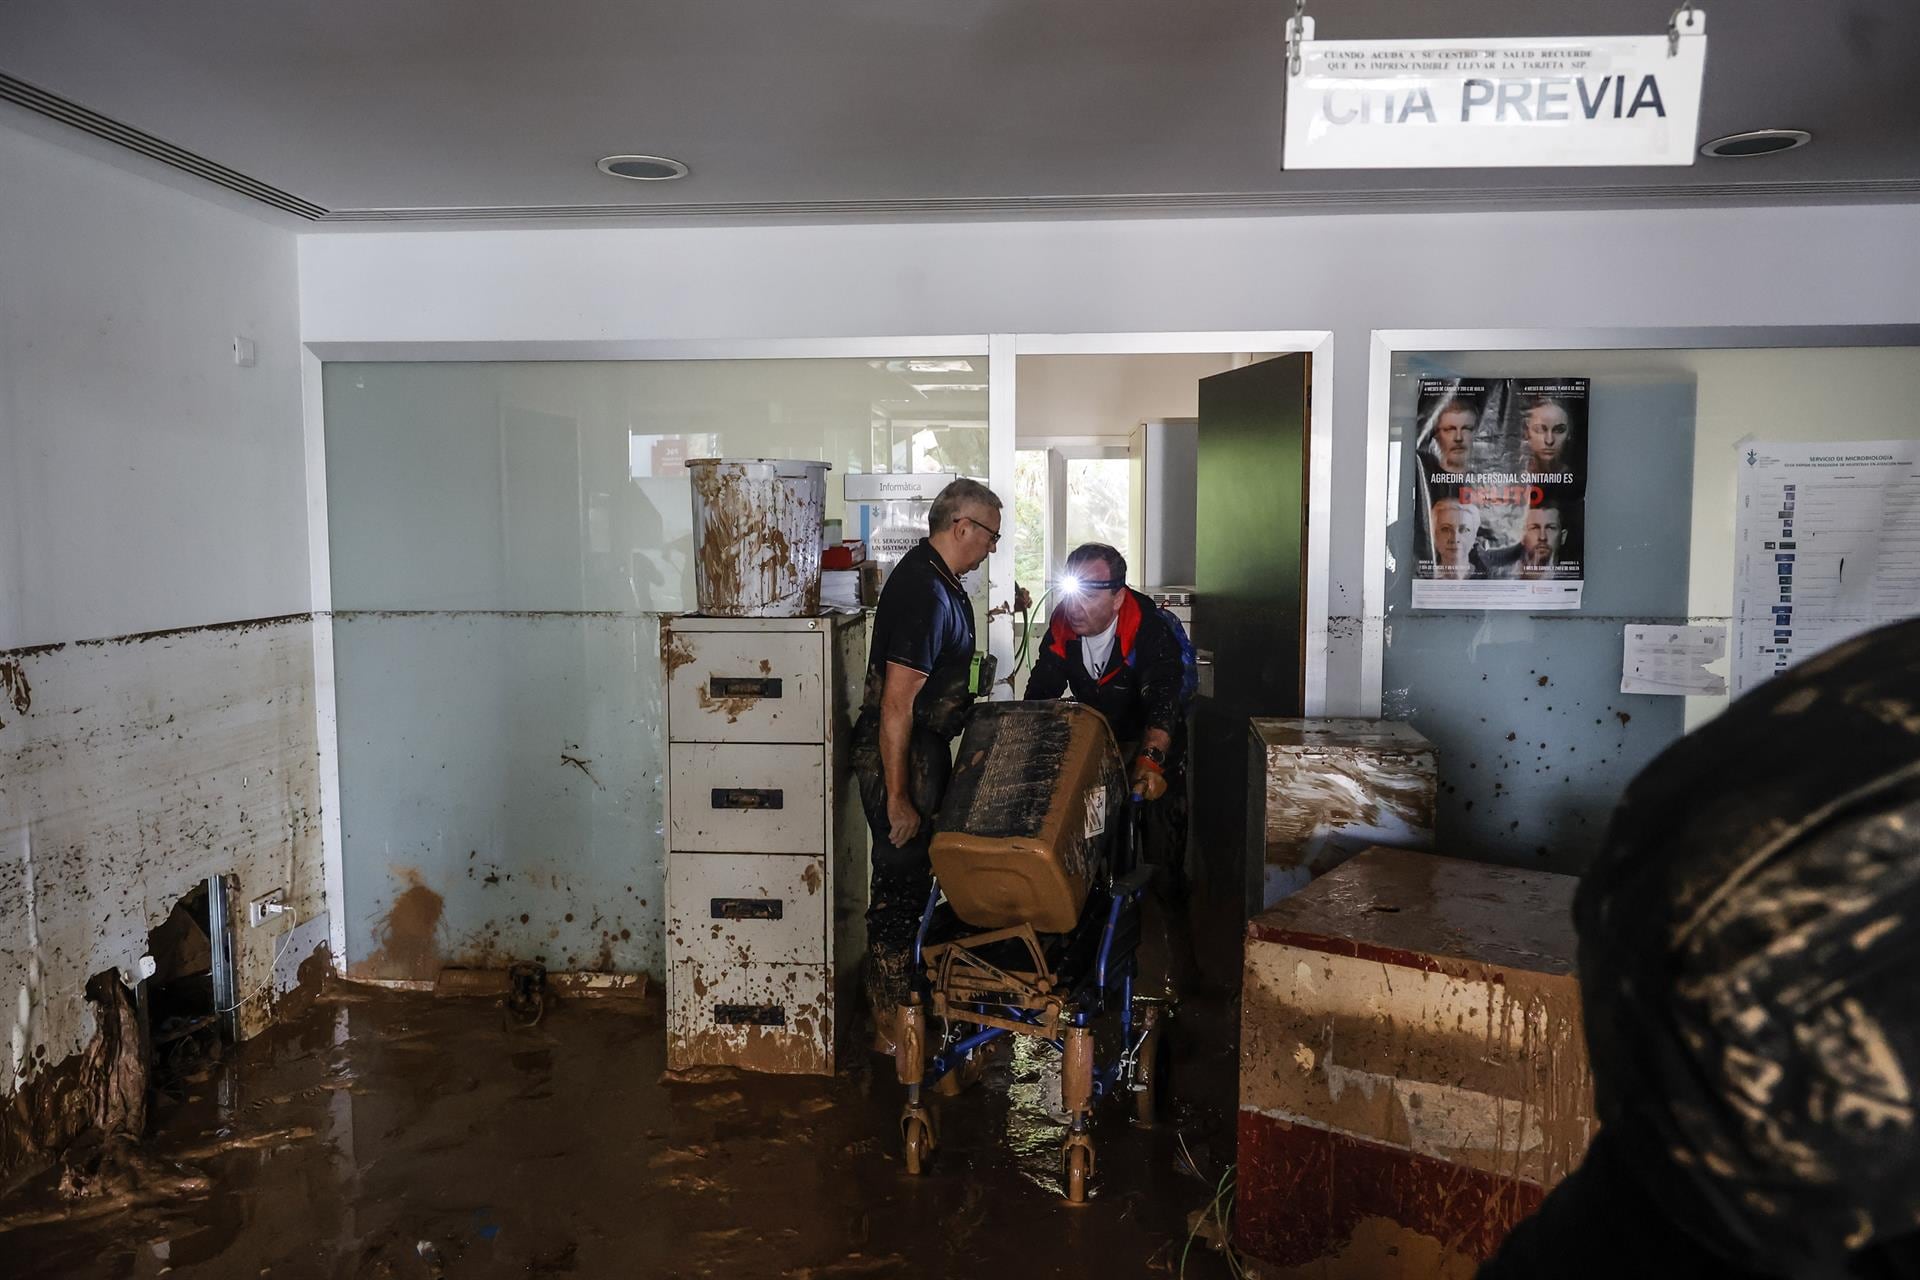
column 1827, row 544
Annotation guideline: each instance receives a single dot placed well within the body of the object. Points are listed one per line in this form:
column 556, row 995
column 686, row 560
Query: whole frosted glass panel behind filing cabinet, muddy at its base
column 504, row 540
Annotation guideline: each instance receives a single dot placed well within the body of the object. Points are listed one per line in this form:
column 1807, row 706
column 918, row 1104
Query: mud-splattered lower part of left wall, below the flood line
column 130, row 772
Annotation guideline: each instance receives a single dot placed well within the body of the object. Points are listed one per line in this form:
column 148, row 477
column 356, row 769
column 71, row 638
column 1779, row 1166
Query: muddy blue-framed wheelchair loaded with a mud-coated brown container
column 1034, row 926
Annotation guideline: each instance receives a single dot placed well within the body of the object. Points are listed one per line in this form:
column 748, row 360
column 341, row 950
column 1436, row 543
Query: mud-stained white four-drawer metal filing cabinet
column 767, row 849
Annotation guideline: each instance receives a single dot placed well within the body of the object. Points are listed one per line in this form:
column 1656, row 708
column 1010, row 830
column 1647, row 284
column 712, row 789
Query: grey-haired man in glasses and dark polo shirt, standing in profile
column 919, row 690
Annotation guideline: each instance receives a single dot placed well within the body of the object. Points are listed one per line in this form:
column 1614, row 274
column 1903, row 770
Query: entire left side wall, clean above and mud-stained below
column 147, row 485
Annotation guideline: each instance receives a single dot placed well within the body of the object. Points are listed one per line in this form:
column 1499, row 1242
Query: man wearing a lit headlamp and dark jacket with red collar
column 1126, row 657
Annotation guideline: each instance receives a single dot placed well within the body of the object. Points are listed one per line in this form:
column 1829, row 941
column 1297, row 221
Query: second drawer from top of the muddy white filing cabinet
column 748, row 799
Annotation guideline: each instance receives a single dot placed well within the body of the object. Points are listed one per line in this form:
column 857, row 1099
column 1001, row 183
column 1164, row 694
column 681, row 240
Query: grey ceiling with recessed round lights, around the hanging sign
column 450, row 110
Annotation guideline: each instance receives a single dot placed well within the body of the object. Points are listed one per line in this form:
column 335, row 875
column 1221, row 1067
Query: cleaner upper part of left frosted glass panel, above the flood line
column 562, row 486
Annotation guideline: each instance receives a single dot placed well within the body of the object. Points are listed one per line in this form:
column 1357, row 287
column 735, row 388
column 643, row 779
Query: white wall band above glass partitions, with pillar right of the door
column 1351, row 275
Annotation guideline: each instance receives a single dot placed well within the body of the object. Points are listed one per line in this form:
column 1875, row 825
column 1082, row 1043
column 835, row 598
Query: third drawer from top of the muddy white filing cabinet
column 748, row 909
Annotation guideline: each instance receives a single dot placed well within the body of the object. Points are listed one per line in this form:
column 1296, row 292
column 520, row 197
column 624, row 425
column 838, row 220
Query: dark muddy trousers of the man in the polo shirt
column 903, row 874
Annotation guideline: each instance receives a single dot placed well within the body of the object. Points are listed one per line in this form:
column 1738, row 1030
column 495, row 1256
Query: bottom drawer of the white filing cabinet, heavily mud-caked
column 759, row 1018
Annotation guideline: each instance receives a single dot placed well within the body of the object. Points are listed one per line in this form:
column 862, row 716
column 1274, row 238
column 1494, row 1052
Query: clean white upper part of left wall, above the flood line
column 149, row 483
